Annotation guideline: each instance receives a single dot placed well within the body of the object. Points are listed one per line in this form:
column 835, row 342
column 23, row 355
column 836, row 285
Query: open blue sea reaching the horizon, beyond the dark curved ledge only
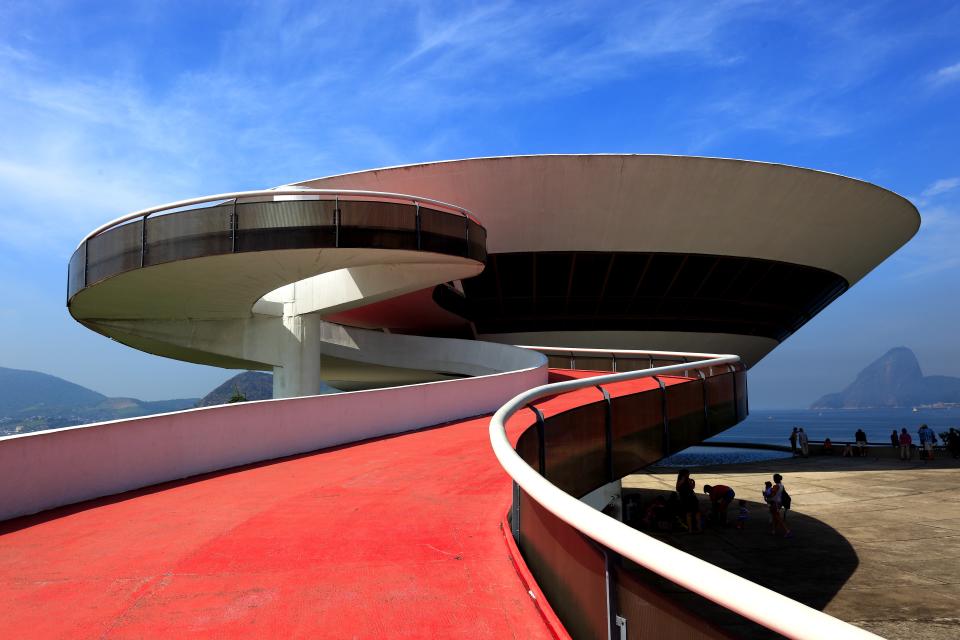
column 774, row 427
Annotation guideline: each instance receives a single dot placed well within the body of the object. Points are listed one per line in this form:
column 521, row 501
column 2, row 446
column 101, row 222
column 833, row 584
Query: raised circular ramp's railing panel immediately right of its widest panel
column 380, row 225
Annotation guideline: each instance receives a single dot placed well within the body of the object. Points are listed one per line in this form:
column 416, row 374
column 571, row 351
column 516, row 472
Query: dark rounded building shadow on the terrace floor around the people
column 810, row 567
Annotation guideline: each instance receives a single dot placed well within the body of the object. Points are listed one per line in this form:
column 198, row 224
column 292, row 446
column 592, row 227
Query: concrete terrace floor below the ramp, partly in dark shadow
column 876, row 542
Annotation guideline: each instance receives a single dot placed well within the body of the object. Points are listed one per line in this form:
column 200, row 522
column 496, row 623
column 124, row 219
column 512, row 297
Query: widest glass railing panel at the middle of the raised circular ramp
column 285, row 224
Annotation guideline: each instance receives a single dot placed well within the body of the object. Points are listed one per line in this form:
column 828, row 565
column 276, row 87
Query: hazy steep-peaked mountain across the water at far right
column 893, row 380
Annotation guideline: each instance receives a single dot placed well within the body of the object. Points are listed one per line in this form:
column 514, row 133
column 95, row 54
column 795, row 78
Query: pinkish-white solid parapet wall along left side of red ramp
column 48, row 469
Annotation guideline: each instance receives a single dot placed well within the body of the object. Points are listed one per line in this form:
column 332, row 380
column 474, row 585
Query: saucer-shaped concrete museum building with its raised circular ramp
column 606, row 251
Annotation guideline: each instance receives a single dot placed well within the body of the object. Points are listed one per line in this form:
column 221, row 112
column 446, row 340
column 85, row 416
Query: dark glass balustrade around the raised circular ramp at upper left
column 268, row 225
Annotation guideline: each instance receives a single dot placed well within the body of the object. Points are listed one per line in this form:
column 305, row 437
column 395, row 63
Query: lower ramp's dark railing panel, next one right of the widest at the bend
column 636, row 430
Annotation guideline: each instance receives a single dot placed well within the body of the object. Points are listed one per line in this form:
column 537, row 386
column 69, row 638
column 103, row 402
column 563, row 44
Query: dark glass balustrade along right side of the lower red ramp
column 584, row 448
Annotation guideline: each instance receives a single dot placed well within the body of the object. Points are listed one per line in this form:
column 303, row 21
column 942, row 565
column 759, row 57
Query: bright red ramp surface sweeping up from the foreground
column 397, row 537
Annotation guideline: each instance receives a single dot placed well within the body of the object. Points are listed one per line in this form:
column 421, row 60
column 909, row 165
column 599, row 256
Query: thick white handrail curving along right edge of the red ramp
column 764, row 606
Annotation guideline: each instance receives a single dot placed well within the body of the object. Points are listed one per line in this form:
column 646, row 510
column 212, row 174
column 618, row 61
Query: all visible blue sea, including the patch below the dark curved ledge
column 768, row 426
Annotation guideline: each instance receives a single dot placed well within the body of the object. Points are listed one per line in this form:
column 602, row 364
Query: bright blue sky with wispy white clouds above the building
column 111, row 107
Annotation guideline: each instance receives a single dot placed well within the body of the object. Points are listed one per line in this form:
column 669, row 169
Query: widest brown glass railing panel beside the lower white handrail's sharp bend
column 575, row 445
